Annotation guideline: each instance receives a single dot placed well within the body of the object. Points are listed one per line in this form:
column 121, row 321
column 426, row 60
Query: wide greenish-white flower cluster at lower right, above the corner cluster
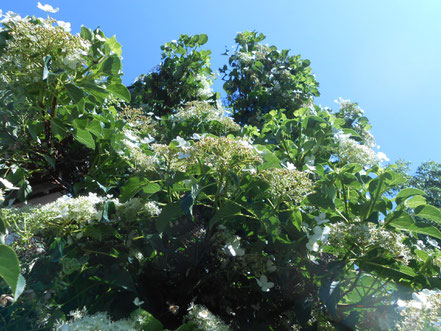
column 368, row 236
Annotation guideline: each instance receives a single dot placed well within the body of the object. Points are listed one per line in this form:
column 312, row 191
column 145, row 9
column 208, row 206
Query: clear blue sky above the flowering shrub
column 385, row 55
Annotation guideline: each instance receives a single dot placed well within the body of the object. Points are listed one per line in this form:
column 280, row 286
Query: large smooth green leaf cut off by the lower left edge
column 10, row 270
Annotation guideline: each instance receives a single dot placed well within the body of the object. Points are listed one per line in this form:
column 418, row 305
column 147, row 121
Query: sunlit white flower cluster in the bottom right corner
column 423, row 312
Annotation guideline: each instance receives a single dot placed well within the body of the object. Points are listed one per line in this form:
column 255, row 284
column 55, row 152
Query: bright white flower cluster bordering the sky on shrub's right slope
column 351, row 151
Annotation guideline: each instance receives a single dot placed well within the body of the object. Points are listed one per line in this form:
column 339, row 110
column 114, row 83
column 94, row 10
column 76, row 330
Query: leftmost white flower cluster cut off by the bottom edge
column 100, row 321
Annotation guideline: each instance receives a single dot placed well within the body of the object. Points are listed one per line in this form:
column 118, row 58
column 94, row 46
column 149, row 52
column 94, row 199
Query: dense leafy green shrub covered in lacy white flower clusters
column 179, row 216
